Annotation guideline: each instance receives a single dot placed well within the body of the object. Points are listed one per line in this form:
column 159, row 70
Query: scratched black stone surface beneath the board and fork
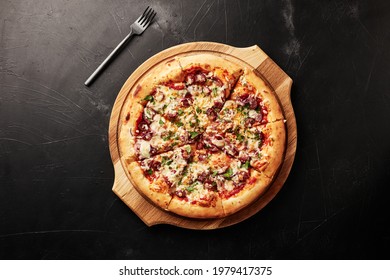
column 55, row 169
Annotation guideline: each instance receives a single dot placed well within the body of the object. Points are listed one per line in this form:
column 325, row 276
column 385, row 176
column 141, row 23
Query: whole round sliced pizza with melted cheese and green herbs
column 201, row 137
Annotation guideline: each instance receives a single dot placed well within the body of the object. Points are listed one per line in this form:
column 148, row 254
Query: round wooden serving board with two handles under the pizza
column 252, row 58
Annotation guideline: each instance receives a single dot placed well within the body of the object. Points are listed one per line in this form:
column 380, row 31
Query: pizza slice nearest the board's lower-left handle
column 158, row 176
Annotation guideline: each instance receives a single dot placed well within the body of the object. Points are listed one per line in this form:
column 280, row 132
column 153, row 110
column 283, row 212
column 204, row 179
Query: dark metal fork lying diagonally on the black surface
column 137, row 28
